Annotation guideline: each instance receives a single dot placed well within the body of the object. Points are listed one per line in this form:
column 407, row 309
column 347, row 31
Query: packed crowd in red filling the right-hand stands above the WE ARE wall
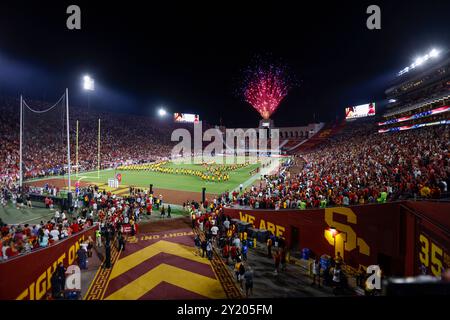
column 359, row 166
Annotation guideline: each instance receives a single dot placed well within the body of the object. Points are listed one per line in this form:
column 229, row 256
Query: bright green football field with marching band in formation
column 173, row 181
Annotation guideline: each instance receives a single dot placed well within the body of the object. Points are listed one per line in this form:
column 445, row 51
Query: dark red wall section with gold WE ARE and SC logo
column 363, row 235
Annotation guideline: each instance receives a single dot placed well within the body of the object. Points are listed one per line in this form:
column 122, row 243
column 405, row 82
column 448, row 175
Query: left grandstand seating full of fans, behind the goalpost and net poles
column 124, row 138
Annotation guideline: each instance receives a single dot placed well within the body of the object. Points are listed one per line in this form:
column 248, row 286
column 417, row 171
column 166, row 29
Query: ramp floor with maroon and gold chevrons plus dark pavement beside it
column 164, row 261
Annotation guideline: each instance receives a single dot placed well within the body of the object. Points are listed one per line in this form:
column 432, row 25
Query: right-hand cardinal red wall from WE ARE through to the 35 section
column 385, row 234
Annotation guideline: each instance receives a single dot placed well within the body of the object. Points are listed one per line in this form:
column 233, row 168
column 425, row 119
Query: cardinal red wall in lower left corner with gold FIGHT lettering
column 28, row 276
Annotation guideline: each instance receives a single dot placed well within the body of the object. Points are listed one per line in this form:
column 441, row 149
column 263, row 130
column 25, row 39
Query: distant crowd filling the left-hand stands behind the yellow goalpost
column 124, row 138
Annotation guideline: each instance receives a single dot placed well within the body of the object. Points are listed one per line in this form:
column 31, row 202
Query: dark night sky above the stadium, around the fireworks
column 189, row 56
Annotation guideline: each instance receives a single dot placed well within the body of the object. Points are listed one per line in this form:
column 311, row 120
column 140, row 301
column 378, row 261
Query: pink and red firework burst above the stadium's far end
column 265, row 86
